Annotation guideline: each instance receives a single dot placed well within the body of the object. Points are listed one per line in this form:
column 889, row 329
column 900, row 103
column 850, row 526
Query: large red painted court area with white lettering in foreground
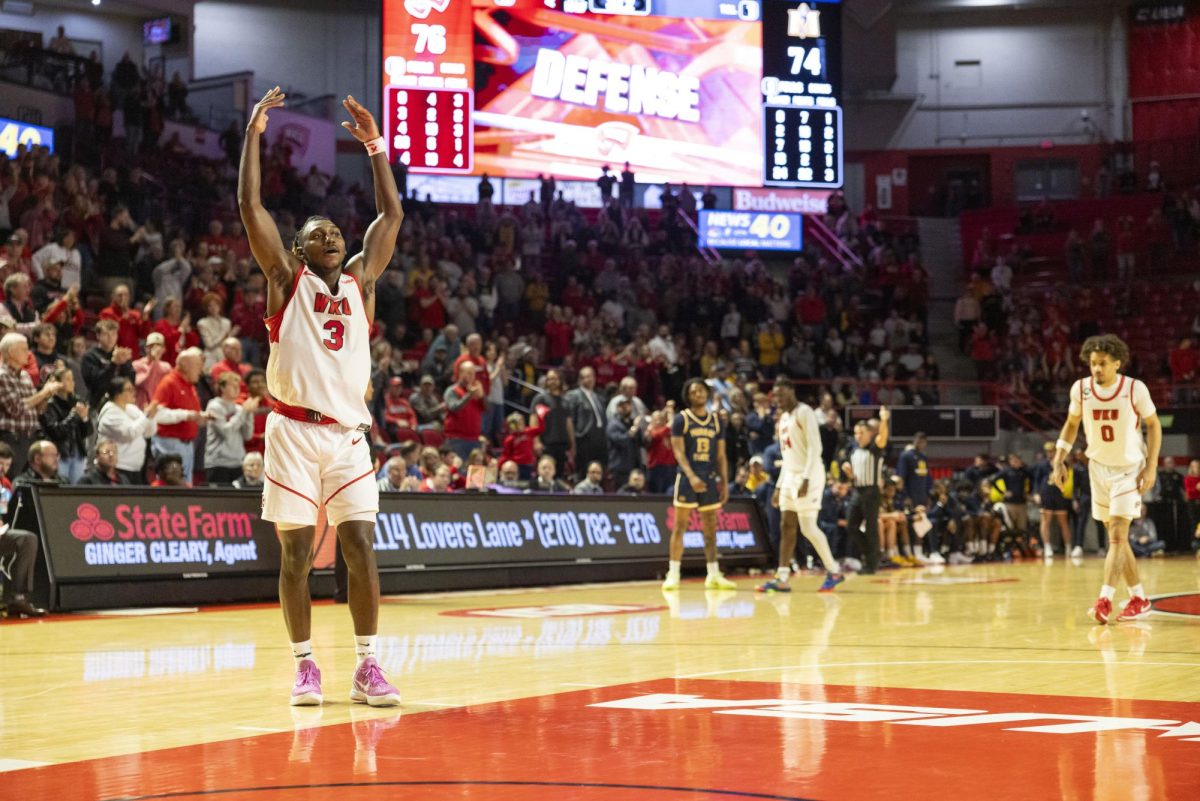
column 676, row 740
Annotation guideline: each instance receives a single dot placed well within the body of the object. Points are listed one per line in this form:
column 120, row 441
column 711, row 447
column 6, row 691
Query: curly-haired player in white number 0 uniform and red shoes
column 1113, row 409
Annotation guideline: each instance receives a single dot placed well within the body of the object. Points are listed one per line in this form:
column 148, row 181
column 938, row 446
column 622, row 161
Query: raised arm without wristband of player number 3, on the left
column 265, row 238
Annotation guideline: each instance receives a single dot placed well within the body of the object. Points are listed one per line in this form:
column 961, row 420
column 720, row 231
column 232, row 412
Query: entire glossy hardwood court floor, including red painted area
column 977, row 682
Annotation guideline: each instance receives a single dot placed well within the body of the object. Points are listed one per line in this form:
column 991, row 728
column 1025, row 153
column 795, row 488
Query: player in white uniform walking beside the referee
column 801, row 487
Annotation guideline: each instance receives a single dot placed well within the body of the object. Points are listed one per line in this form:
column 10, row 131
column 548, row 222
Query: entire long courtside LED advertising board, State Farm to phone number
column 97, row 534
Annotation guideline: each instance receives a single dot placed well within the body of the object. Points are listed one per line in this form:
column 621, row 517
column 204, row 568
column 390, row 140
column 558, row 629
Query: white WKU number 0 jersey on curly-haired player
column 1113, row 420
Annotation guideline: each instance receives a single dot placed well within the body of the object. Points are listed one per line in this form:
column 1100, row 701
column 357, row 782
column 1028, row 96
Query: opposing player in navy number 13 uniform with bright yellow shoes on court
column 703, row 480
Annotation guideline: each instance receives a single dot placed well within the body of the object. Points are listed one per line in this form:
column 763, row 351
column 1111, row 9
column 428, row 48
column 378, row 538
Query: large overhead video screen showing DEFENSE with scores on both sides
column 681, row 89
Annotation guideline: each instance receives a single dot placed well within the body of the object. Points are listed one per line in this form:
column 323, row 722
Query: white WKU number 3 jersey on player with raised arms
column 321, row 350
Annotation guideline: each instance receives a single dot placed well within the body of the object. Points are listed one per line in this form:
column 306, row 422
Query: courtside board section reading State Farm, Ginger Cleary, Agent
column 103, row 534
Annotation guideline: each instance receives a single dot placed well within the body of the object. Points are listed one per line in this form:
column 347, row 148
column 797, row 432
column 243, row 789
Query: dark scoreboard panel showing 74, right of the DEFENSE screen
column 802, row 94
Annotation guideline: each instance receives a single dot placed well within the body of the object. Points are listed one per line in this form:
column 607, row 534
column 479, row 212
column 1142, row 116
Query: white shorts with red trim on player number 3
column 310, row 466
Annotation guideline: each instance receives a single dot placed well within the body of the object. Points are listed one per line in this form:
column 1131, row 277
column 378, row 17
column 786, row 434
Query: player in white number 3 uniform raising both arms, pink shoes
column 320, row 310
